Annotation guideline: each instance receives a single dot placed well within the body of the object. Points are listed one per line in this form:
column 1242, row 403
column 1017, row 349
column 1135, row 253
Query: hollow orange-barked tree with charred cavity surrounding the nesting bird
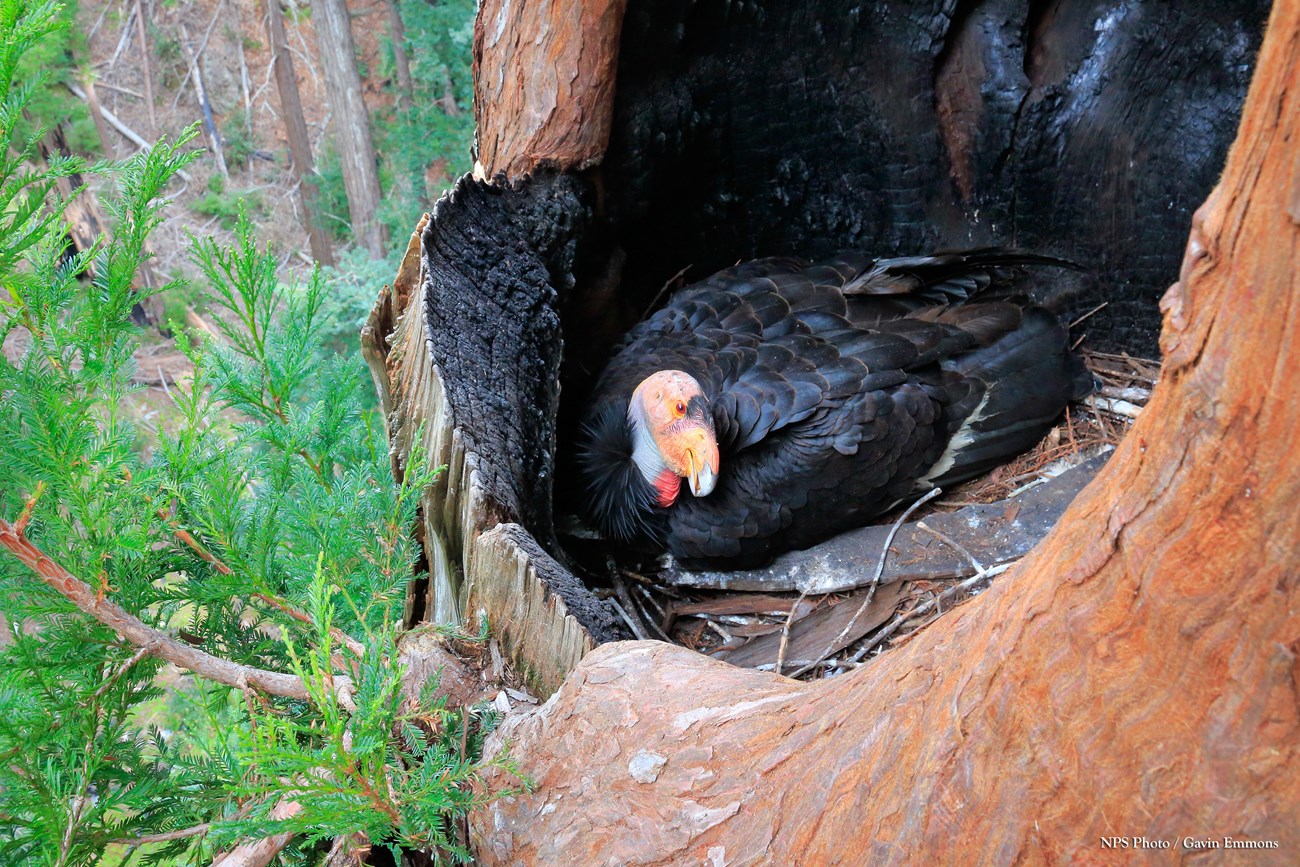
column 1138, row 667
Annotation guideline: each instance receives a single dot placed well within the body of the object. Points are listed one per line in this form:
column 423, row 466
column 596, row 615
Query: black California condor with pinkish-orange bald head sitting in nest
column 799, row 401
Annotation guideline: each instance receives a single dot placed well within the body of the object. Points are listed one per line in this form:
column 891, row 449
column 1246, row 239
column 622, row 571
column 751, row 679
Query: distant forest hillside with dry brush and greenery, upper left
column 157, row 67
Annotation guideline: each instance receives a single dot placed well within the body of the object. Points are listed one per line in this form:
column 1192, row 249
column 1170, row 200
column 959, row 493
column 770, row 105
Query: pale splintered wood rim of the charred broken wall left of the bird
column 475, row 565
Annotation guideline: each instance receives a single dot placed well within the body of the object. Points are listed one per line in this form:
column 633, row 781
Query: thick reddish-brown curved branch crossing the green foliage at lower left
column 157, row 643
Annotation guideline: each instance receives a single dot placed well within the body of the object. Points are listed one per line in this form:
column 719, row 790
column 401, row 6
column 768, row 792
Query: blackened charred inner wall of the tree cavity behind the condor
column 1081, row 128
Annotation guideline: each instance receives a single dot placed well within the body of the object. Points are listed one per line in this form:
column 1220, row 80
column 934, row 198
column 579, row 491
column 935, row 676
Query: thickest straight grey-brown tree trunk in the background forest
column 352, row 124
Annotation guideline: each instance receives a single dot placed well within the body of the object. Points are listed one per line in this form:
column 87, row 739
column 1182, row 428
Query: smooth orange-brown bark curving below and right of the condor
column 1134, row 677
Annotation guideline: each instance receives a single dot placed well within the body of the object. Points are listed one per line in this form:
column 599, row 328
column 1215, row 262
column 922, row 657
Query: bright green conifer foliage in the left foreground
column 263, row 528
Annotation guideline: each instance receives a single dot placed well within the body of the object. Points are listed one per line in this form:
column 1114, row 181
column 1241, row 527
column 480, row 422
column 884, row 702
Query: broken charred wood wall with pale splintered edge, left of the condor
column 465, row 350
